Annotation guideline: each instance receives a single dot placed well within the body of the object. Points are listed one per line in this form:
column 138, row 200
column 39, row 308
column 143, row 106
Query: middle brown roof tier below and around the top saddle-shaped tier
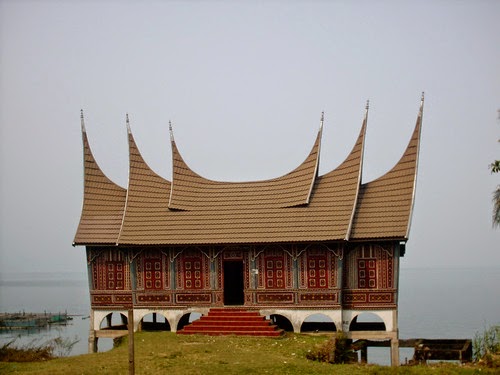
column 148, row 220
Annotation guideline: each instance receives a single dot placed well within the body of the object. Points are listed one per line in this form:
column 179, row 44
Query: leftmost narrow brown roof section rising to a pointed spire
column 103, row 202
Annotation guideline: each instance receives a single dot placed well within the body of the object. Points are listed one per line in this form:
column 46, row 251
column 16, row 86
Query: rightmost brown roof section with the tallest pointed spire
column 385, row 205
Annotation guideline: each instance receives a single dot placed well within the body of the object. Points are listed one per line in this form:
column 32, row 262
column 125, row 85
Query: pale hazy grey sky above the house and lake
column 244, row 84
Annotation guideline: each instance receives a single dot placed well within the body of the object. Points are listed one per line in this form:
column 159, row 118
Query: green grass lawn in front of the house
column 168, row 353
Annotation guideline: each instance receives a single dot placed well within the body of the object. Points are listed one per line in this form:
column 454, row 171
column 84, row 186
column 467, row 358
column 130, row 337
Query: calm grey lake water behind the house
column 433, row 303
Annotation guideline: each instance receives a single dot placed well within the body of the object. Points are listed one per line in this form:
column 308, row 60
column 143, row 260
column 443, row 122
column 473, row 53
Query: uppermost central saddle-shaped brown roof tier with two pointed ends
column 192, row 192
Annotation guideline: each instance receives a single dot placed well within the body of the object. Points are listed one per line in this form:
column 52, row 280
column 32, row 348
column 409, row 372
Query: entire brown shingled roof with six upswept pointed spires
column 297, row 207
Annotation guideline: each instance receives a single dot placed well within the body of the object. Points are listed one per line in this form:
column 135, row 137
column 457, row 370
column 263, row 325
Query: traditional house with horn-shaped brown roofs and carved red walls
column 285, row 248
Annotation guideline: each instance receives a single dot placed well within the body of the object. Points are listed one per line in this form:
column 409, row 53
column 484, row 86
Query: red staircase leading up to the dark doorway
column 232, row 321
